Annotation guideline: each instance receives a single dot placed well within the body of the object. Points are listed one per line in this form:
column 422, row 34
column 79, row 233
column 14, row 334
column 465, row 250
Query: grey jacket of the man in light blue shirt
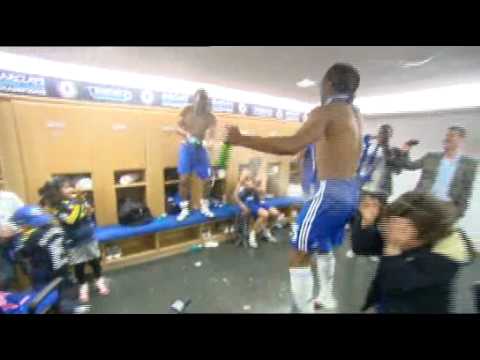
column 461, row 186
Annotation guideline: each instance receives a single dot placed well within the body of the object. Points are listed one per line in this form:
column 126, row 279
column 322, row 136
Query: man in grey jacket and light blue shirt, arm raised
column 448, row 175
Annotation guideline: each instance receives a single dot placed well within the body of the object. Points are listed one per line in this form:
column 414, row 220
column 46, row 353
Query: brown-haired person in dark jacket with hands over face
column 421, row 253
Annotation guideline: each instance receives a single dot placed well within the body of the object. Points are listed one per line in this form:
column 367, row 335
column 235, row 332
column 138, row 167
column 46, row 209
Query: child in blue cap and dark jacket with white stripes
column 41, row 246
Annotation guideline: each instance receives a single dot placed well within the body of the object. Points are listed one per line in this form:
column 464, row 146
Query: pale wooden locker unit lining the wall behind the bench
column 68, row 137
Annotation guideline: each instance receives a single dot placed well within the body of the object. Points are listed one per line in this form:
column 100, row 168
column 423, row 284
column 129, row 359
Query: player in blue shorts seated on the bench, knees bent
column 248, row 194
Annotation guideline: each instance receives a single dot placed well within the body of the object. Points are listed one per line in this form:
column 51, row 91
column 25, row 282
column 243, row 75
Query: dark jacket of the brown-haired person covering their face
column 417, row 281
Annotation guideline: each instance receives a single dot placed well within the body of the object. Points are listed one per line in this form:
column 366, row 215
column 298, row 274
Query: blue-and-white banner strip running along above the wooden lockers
column 36, row 85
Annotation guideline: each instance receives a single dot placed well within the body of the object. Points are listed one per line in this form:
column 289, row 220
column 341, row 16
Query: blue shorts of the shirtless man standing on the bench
column 194, row 158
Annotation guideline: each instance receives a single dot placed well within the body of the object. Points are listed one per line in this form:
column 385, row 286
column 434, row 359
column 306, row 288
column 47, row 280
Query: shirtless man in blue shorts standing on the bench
column 197, row 126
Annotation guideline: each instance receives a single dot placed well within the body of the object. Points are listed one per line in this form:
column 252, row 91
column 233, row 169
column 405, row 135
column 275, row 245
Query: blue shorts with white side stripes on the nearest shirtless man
column 321, row 222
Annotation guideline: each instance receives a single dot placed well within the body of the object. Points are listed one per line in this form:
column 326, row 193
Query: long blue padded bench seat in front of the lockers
column 228, row 211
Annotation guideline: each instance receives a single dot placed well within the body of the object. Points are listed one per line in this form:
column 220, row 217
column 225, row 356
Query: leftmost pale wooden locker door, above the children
column 55, row 138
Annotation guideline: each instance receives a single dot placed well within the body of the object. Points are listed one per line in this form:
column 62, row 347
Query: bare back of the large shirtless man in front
column 338, row 152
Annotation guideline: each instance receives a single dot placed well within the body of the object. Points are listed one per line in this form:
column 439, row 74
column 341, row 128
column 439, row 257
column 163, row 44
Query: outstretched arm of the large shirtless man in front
column 311, row 131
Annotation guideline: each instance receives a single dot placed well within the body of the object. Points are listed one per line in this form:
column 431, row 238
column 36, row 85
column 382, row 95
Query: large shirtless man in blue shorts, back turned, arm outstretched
column 335, row 129
